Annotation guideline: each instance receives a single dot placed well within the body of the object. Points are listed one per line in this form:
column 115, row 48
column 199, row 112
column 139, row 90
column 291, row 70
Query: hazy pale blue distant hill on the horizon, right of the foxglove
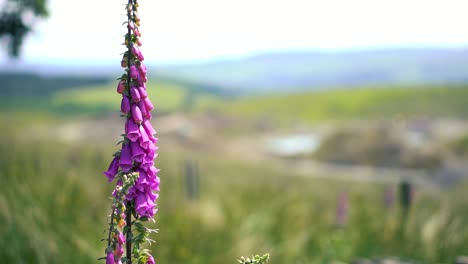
column 309, row 69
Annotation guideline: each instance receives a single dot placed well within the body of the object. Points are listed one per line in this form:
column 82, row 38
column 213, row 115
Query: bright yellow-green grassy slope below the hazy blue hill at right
column 356, row 103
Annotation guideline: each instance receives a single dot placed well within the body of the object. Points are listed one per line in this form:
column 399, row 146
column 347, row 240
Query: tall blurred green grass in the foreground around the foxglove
column 53, row 208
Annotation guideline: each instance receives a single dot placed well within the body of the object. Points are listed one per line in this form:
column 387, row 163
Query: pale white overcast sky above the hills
column 184, row 30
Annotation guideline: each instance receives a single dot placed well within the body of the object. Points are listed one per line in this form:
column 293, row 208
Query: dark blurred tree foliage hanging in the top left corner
column 16, row 19
